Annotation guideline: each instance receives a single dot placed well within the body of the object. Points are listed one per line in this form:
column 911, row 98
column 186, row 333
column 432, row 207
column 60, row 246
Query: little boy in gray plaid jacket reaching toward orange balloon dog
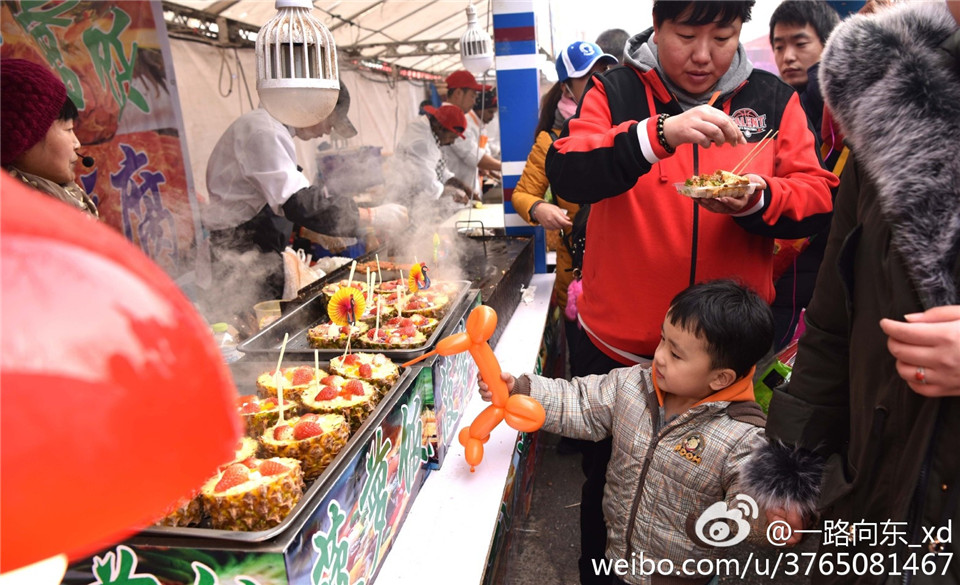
column 682, row 429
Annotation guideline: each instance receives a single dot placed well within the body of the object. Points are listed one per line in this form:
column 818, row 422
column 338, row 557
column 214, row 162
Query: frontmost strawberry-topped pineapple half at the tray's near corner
column 253, row 495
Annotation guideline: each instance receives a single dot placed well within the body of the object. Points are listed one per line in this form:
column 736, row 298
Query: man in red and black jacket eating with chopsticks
column 646, row 126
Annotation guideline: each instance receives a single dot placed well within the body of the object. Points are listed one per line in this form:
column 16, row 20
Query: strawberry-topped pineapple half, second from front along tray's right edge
column 313, row 439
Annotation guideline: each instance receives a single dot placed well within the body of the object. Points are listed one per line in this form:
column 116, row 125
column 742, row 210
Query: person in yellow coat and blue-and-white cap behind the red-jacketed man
column 575, row 65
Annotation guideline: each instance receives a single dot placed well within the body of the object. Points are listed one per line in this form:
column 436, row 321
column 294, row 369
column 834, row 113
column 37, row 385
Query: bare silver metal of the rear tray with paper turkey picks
column 311, row 313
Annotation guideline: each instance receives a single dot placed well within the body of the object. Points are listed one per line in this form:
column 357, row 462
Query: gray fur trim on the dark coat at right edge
column 892, row 81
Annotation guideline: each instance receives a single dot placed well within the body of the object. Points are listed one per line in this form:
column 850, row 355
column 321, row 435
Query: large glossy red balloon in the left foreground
column 116, row 400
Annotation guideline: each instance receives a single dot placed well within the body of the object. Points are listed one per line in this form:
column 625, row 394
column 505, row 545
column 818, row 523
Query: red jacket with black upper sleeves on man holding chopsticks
column 646, row 242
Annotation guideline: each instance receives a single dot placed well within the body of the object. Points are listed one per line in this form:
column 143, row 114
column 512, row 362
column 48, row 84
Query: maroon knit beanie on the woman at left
column 31, row 98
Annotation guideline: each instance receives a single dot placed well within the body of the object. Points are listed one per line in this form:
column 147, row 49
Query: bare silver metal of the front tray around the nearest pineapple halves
column 245, row 373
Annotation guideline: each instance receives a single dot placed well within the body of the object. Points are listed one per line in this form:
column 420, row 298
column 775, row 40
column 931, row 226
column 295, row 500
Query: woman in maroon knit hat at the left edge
column 36, row 132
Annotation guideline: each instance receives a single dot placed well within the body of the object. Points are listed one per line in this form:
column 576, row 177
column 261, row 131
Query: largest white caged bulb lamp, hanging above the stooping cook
column 297, row 75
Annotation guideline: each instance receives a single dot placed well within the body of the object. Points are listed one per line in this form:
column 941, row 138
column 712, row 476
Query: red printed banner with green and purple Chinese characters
column 114, row 59
